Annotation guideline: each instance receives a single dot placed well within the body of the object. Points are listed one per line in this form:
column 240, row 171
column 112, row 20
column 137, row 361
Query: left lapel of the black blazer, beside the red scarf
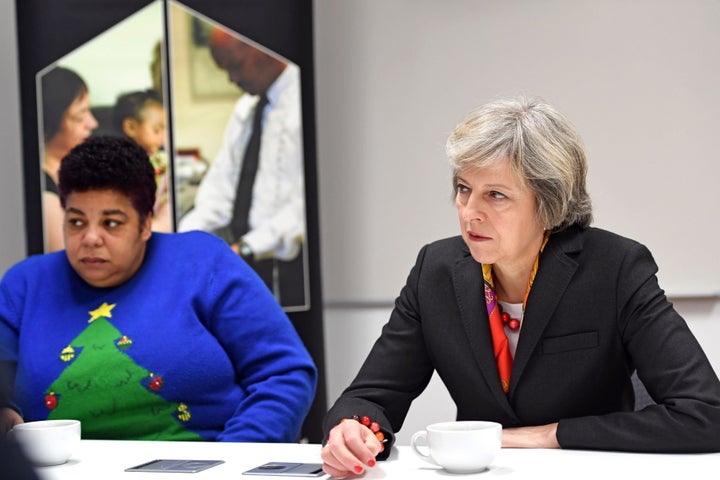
column 468, row 284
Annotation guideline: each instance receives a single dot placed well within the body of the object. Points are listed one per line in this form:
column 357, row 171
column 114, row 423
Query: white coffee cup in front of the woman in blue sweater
column 47, row 442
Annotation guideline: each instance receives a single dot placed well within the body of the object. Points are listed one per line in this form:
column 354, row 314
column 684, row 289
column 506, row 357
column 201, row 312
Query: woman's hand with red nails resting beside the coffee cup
column 349, row 448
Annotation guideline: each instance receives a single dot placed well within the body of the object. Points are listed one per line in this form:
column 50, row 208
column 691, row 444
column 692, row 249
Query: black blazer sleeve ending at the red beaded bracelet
column 396, row 371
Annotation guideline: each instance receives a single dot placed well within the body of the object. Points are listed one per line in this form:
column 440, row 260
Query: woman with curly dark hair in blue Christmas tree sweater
column 142, row 335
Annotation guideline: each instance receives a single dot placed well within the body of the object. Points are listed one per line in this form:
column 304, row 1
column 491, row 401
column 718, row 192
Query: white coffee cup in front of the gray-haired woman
column 459, row 447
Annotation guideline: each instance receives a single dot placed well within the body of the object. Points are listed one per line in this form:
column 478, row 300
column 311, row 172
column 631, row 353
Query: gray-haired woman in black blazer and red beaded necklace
column 531, row 317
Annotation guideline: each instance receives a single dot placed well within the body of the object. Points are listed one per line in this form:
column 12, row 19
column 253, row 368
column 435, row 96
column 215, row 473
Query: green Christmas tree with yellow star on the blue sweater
column 112, row 395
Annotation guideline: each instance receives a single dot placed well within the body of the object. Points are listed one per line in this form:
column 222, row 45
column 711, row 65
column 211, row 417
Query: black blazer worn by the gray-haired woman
column 594, row 315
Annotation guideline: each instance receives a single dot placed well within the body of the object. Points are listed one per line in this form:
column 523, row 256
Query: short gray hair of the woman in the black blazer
column 542, row 147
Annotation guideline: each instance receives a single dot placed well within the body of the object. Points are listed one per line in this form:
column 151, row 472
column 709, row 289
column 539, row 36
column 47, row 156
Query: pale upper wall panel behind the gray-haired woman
column 638, row 79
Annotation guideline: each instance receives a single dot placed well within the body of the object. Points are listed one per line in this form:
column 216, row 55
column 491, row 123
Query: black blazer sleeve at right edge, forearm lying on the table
column 672, row 366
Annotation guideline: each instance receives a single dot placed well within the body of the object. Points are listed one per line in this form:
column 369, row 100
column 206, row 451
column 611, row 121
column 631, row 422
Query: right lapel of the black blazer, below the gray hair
column 555, row 272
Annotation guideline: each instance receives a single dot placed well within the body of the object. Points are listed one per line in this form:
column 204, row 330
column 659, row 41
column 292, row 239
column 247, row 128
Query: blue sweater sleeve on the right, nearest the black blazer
column 271, row 363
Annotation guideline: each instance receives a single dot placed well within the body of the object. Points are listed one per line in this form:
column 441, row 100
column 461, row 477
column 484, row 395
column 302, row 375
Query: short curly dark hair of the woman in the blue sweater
column 109, row 163
